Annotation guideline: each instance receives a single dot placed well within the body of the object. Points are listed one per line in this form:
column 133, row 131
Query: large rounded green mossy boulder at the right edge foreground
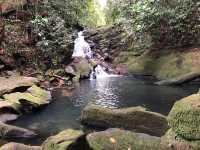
column 184, row 117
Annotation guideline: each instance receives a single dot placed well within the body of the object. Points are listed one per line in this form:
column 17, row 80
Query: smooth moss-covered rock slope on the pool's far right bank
column 163, row 65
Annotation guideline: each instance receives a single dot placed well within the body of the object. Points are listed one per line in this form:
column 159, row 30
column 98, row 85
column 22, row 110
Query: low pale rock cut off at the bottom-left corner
column 18, row 146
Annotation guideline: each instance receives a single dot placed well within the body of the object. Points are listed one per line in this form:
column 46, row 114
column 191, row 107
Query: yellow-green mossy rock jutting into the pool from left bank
column 34, row 96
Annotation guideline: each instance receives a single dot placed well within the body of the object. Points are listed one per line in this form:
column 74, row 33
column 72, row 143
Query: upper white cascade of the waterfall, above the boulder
column 81, row 47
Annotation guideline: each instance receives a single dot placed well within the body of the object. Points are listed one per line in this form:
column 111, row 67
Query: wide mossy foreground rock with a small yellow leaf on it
column 116, row 139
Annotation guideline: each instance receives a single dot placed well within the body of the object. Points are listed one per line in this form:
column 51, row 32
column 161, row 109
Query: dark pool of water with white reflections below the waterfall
column 116, row 92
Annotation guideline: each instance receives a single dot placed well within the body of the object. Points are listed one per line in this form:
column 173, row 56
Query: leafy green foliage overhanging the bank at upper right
column 169, row 23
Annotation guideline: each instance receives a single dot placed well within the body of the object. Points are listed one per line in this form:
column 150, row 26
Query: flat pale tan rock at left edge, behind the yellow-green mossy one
column 10, row 84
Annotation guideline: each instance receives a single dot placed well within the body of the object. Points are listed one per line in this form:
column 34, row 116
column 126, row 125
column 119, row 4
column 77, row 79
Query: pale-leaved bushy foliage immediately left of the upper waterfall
column 53, row 40
